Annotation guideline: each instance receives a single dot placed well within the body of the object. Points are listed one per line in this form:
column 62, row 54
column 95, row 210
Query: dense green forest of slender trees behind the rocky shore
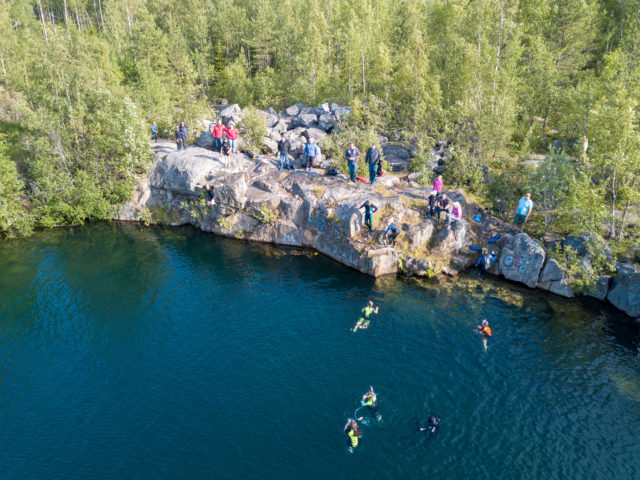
column 537, row 95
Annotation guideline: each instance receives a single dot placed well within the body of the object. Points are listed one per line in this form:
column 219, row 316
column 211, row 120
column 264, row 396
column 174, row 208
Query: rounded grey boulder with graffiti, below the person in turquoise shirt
column 522, row 259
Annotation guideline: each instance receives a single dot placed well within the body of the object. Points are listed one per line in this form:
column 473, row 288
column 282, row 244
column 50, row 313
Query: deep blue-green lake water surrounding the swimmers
column 129, row 352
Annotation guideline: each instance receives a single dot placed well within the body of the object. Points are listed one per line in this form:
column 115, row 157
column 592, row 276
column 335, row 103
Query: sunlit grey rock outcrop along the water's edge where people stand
column 253, row 200
